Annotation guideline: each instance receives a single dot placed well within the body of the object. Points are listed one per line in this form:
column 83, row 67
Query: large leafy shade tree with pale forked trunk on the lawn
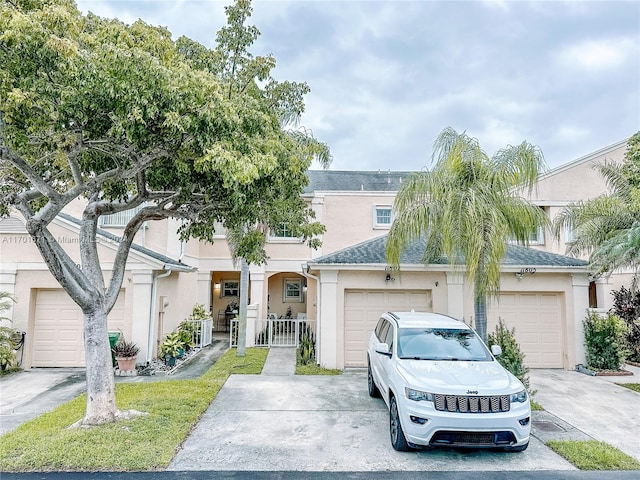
column 115, row 117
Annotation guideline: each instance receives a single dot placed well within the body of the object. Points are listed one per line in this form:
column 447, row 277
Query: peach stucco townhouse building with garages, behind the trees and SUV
column 339, row 290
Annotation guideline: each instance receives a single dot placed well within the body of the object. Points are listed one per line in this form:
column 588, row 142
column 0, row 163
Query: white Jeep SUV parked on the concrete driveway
column 443, row 387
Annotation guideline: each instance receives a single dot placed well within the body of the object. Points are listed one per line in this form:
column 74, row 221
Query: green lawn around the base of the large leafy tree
column 143, row 443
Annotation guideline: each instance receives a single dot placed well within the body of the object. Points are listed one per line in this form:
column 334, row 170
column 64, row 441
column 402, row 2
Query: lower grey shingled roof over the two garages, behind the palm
column 373, row 252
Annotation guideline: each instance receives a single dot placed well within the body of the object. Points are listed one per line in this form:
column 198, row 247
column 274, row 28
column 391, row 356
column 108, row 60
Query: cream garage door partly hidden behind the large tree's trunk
column 58, row 332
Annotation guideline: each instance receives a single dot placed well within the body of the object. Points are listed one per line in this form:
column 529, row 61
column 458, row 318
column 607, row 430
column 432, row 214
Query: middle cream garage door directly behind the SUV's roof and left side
column 362, row 309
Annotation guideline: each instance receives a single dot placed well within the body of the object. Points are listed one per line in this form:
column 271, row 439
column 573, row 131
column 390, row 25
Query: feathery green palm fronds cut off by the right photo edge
column 607, row 227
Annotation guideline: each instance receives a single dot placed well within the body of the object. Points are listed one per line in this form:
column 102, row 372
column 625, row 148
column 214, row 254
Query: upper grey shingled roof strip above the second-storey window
column 353, row 181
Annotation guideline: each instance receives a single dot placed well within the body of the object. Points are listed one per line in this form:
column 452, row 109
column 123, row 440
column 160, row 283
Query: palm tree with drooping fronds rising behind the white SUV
column 467, row 209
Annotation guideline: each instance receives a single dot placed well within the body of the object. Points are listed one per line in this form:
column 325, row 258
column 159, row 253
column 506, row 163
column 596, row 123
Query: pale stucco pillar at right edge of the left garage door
column 141, row 302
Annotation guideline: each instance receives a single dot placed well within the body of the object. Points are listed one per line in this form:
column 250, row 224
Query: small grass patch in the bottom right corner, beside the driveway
column 593, row 455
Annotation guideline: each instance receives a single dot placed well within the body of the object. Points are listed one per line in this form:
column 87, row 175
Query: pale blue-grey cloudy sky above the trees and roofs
column 387, row 76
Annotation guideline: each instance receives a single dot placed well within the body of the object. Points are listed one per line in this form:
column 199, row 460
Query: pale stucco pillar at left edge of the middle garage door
column 328, row 321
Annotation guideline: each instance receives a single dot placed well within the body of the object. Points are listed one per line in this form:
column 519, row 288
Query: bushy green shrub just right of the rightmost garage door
column 604, row 339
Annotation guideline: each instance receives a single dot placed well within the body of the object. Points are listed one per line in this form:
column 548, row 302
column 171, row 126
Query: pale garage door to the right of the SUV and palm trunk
column 537, row 319
